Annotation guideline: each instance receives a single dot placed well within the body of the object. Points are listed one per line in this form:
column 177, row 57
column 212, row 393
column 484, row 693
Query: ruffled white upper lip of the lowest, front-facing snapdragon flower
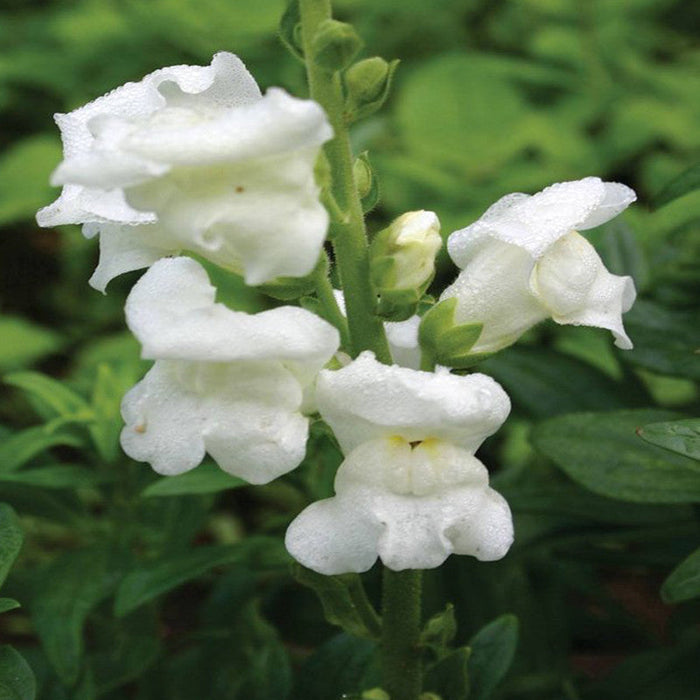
column 367, row 400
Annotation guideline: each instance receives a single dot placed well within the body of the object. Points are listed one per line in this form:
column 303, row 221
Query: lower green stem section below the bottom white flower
column 401, row 622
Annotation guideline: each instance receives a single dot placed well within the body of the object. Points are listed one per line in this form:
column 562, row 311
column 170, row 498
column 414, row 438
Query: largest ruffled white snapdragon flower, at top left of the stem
column 195, row 158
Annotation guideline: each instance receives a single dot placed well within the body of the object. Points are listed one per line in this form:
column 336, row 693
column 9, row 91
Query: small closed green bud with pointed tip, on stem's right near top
column 367, row 85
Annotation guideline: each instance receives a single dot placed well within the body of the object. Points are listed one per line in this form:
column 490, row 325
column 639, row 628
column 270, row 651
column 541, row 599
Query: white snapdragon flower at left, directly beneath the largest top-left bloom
column 224, row 382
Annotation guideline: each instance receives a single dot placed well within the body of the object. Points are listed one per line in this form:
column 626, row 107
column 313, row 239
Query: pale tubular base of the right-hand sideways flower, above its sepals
column 493, row 289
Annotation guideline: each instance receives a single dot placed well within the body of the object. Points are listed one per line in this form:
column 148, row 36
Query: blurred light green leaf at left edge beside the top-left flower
column 24, row 177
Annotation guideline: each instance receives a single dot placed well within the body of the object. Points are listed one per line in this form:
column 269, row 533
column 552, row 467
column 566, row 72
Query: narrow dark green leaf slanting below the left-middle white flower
column 143, row 585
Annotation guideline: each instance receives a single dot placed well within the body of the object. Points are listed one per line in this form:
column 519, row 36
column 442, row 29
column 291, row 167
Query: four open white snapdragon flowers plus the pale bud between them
column 196, row 159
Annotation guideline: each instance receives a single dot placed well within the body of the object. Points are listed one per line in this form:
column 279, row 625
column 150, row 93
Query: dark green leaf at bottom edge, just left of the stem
column 342, row 666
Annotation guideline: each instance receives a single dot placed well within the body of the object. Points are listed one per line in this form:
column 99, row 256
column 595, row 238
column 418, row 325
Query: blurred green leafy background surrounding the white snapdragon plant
column 135, row 587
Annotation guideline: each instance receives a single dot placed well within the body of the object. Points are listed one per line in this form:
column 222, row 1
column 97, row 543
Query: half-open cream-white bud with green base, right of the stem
column 402, row 262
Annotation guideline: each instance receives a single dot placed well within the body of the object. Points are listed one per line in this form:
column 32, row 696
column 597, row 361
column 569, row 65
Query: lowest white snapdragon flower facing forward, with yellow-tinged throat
column 410, row 489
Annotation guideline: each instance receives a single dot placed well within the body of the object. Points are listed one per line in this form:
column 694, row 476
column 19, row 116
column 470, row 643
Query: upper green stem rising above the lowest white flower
column 350, row 236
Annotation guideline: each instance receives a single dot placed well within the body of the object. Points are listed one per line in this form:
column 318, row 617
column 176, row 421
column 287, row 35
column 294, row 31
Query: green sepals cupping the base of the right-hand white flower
column 448, row 343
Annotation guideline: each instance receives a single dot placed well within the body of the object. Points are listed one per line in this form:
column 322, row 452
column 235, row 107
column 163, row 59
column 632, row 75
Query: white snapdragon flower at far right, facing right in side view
column 523, row 261
